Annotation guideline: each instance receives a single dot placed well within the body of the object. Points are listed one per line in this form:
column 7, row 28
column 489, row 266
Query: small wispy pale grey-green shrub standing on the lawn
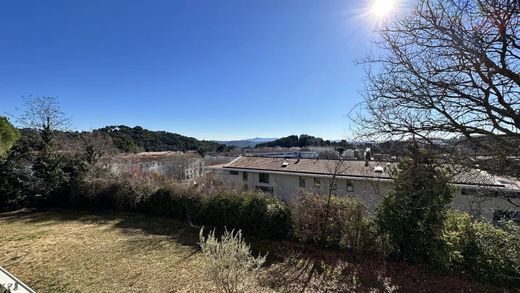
column 229, row 262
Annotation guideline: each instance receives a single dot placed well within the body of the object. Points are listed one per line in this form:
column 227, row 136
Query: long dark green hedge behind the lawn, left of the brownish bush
column 256, row 214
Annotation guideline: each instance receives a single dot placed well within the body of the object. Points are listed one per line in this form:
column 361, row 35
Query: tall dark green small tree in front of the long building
column 411, row 216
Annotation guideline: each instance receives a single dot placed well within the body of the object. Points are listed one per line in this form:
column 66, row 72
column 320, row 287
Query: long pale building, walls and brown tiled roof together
column 286, row 178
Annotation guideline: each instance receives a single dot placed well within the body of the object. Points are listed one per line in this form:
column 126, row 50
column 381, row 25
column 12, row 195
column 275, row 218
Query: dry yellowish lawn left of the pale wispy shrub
column 70, row 251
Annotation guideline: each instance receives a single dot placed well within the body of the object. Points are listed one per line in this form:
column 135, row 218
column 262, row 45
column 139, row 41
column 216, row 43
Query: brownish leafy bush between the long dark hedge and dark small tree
column 342, row 224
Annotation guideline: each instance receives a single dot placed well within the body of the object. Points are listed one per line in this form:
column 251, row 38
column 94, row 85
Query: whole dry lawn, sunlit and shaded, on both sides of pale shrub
column 71, row 251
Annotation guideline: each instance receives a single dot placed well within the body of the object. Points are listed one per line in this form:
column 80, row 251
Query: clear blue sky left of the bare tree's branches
column 210, row 69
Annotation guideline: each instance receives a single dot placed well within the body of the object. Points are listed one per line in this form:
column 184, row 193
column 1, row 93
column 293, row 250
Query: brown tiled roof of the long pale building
column 347, row 168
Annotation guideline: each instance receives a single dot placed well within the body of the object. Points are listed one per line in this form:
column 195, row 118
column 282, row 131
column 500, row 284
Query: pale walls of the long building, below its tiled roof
column 370, row 192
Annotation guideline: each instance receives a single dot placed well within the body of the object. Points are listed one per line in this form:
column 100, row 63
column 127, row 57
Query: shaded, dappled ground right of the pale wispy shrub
column 299, row 268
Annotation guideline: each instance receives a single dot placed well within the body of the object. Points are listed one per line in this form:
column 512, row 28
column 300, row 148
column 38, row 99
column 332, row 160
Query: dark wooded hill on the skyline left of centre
column 135, row 139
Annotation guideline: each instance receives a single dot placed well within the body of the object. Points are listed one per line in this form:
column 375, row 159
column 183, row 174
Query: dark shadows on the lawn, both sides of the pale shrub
column 291, row 267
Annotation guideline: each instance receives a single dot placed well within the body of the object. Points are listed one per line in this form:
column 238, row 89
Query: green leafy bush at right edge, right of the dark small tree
column 480, row 249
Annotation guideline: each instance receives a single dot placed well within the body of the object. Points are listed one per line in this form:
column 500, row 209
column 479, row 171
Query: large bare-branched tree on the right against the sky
column 450, row 70
